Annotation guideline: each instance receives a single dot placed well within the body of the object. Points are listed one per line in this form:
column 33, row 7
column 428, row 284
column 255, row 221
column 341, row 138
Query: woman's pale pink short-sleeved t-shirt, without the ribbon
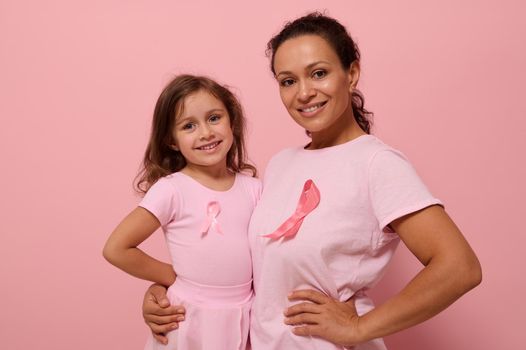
column 342, row 246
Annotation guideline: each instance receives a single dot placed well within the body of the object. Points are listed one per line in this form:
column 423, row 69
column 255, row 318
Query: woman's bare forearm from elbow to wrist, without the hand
column 437, row 286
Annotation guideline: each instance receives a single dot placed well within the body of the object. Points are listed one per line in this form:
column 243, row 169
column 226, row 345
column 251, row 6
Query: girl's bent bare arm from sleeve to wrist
column 121, row 248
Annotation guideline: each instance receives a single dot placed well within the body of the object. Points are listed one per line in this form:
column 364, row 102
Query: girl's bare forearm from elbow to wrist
column 139, row 264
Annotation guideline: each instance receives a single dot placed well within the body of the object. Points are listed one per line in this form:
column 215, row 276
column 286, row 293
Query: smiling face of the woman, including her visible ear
column 314, row 87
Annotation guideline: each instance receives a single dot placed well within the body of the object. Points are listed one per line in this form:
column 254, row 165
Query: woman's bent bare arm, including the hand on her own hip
column 450, row 270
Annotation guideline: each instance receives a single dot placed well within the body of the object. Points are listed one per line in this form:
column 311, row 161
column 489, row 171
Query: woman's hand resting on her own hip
column 322, row 316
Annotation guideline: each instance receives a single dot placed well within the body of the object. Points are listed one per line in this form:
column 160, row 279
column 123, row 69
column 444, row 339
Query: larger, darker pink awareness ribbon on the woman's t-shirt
column 309, row 200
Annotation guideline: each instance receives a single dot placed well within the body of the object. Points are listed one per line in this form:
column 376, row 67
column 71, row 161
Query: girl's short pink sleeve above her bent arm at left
column 161, row 201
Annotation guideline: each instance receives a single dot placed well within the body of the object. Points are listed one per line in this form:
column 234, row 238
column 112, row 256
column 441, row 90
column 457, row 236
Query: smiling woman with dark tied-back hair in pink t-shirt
column 314, row 258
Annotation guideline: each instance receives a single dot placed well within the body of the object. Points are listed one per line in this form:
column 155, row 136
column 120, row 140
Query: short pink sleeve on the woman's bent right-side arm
column 395, row 189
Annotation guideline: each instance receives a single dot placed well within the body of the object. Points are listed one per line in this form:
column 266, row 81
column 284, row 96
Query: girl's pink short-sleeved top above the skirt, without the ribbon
column 180, row 204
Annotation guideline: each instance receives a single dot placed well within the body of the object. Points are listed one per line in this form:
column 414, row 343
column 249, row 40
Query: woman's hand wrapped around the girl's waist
column 158, row 314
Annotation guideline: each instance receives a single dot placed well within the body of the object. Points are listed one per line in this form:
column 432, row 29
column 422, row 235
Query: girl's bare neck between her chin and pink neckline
column 215, row 178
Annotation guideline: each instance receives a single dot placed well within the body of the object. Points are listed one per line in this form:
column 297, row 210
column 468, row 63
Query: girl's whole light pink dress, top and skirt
column 206, row 234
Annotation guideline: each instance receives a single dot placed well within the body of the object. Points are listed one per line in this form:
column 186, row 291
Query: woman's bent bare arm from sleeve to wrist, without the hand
column 450, row 270
